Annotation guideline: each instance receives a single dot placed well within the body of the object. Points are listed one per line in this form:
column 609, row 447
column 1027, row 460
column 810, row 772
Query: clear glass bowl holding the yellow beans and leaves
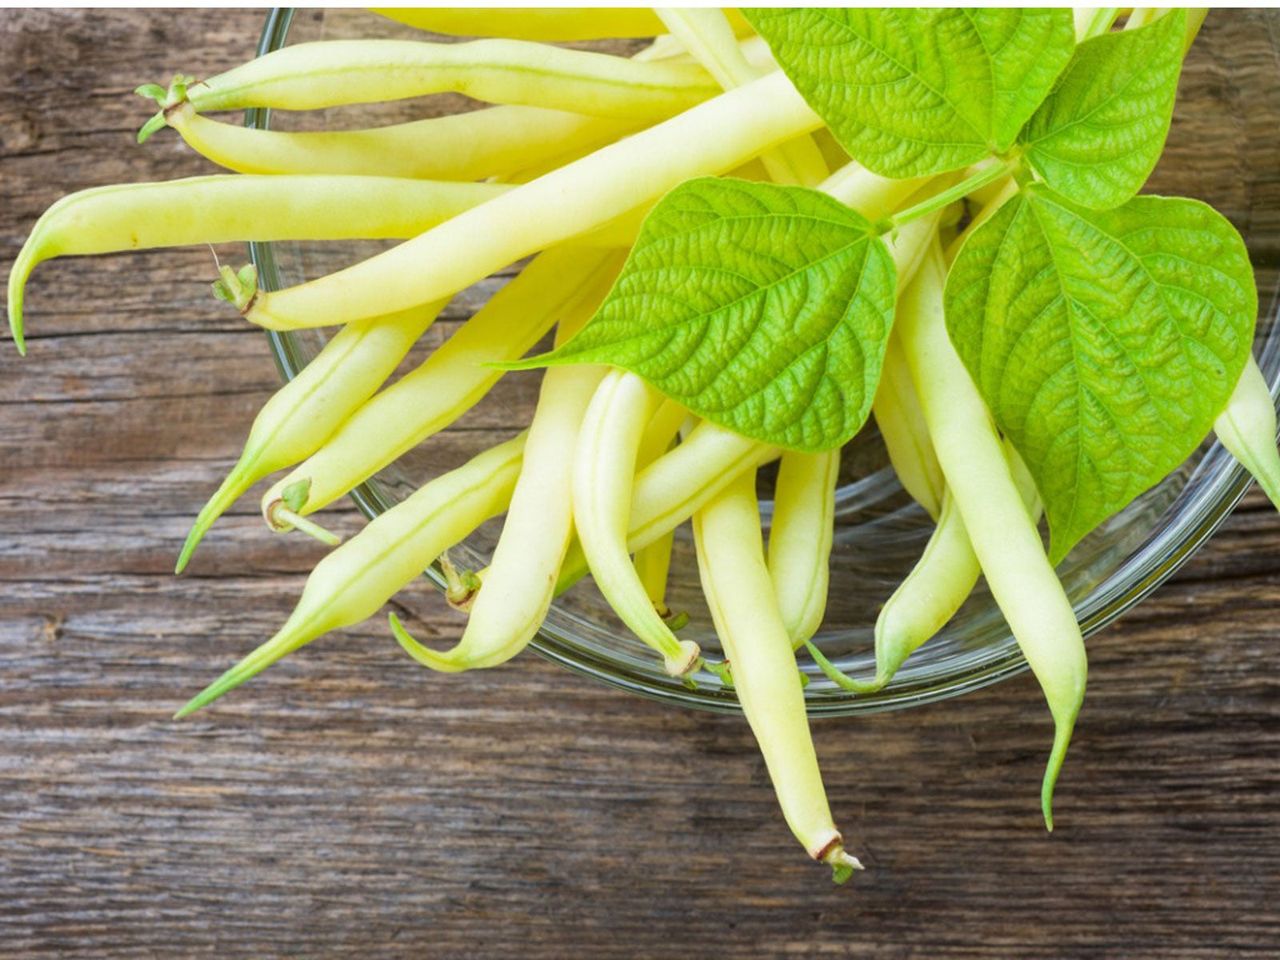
column 1222, row 149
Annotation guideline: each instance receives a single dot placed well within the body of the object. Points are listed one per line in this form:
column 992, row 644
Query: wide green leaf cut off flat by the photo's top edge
column 916, row 93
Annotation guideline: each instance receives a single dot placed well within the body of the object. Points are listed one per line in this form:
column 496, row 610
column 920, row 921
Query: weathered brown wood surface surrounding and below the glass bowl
column 350, row 804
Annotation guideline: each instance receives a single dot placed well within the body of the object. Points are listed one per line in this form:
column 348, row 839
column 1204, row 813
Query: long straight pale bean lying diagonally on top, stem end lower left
column 712, row 138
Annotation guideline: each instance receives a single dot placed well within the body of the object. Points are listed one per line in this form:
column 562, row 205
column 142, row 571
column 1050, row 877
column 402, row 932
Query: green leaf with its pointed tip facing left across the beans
column 764, row 309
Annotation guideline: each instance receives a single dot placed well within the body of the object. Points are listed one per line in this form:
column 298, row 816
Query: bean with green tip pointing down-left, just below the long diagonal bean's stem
column 310, row 408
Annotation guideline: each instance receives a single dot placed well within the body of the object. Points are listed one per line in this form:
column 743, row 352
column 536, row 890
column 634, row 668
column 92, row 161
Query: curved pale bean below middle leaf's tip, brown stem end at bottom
column 604, row 474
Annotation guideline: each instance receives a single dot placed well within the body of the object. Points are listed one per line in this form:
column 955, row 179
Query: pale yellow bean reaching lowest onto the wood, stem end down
column 757, row 644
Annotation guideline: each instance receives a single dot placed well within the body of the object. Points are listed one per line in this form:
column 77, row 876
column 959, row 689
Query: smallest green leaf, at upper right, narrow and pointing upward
column 1100, row 134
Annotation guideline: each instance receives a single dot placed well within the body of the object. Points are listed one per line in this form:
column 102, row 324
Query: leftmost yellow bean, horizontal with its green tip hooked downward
column 223, row 208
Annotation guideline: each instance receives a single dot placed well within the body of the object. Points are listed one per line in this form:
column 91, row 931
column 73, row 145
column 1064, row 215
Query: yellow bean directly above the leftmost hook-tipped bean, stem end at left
column 473, row 147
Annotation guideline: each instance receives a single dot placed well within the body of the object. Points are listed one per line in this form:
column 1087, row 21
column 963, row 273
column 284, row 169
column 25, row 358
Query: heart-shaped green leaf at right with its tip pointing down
column 1104, row 344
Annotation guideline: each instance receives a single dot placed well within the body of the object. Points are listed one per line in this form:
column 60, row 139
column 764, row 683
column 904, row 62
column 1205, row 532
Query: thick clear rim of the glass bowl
column 1126, row 587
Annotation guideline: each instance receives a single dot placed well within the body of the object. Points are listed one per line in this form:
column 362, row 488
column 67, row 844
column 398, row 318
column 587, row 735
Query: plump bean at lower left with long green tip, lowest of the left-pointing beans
column 354, row 582
